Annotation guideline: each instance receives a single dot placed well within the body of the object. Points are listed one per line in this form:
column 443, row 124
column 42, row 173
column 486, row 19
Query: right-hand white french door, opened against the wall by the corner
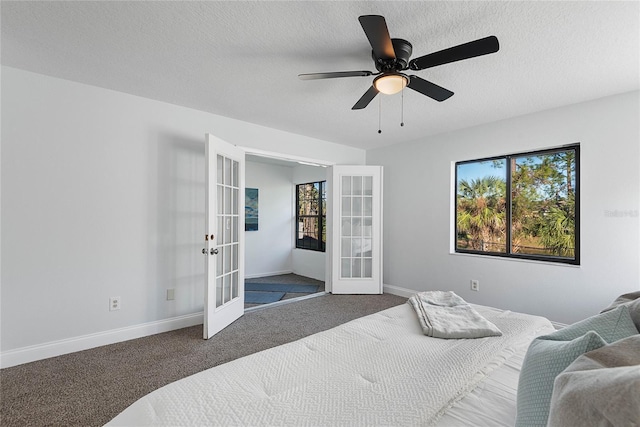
column 354, row 222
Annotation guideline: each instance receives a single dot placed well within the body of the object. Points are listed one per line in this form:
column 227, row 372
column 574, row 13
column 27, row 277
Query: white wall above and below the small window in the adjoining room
column 305, row 262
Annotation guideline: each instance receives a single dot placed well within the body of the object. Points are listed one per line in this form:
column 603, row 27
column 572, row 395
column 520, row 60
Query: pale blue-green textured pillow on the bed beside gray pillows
column 549, row 355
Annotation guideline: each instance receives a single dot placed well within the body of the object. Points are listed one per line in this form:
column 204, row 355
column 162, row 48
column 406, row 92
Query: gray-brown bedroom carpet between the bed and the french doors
column 90, row 387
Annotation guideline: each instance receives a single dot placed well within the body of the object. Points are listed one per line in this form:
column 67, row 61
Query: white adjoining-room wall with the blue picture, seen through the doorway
column 268, row 250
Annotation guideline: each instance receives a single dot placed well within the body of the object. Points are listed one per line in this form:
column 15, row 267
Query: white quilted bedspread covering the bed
column 377, row 370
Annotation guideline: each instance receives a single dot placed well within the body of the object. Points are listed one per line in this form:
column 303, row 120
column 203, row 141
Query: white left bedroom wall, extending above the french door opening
column 102, row 195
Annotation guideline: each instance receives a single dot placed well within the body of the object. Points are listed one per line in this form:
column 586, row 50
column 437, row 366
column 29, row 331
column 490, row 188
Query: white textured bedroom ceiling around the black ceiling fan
column 241, row 59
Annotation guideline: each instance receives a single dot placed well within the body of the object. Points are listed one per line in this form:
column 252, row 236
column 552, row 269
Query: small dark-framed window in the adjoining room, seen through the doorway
column 311, row 215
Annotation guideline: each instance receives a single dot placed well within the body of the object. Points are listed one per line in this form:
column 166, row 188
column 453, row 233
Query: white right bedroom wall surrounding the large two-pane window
column 419, row 206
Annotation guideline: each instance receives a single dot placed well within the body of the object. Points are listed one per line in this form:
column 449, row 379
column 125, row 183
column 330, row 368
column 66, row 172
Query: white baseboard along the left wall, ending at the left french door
column 57, row 348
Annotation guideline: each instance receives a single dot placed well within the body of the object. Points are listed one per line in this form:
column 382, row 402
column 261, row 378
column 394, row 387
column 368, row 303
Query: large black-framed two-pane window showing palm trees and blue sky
column 520, row 206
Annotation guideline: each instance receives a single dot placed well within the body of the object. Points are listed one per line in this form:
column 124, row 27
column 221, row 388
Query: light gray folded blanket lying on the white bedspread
column 443, row 314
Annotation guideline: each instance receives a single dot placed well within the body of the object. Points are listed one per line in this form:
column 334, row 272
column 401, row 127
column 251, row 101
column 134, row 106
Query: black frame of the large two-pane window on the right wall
column 508, row 207
